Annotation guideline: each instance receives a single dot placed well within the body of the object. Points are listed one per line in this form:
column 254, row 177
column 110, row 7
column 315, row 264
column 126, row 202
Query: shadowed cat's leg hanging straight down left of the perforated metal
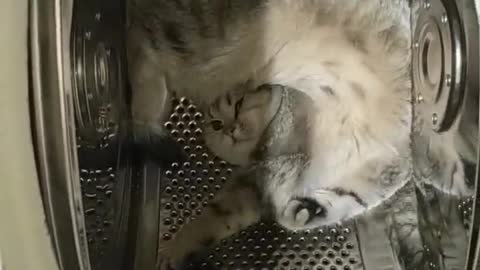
column 151, row 101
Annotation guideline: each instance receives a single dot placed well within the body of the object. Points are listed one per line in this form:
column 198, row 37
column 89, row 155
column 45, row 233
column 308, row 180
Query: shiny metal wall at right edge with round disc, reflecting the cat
column 445, row 135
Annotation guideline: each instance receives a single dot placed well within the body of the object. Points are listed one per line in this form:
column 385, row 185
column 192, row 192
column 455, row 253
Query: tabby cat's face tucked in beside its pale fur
column 237, row 121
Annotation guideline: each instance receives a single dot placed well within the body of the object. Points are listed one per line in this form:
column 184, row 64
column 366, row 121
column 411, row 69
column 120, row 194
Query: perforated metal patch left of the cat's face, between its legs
column 189, row 186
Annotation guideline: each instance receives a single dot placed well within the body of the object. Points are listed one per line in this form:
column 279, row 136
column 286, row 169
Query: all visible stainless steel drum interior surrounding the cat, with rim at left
column 115, row 205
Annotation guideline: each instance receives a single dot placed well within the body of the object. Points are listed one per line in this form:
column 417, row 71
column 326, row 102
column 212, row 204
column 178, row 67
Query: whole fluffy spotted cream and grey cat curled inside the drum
column 313, row 98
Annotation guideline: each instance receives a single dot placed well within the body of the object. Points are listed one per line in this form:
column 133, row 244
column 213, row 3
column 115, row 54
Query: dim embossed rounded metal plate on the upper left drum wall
column 96, row 69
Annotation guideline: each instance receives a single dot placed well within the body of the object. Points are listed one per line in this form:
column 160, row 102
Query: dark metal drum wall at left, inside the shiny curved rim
column 101, row 118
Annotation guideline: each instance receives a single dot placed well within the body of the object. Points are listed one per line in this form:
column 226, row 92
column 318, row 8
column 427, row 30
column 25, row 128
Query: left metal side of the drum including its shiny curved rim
column 80, row 114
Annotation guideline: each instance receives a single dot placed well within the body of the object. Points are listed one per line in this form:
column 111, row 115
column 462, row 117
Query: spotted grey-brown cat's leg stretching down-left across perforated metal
column 234, row 208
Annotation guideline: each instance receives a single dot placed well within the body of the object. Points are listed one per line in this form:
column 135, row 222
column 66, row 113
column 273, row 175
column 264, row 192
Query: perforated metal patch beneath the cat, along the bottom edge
column 268, row 246
